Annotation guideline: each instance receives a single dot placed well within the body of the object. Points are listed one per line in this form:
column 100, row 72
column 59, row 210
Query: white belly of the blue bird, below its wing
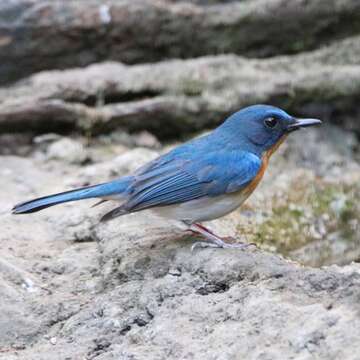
column 203, row 209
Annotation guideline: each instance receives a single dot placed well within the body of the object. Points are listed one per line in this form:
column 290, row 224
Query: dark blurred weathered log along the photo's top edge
column 44, row 34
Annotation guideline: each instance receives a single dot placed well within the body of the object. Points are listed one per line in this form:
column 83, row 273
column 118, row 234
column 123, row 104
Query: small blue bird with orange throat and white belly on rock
column 200, row 180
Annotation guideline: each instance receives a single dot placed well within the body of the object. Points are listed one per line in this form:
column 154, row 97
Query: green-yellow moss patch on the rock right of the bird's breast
column 295, row 222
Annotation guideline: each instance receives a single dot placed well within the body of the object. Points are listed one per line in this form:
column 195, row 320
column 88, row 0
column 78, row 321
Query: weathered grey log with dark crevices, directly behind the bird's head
column 179, row 96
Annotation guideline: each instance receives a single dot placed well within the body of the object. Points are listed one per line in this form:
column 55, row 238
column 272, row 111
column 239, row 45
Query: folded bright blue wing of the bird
column 181, row 180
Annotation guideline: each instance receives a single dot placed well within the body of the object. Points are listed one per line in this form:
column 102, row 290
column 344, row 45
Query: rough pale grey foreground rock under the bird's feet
column 224, row 304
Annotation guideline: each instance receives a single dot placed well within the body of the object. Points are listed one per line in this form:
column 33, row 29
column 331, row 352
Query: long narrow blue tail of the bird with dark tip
column 115, row 187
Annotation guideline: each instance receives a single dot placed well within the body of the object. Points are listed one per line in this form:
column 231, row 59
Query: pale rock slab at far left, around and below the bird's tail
column 38, row 295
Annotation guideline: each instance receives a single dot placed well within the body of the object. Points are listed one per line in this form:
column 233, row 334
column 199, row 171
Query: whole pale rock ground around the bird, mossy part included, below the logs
column 131, row 289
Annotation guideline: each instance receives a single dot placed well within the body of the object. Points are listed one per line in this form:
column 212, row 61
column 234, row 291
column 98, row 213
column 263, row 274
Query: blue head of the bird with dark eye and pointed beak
column 262, row 127
